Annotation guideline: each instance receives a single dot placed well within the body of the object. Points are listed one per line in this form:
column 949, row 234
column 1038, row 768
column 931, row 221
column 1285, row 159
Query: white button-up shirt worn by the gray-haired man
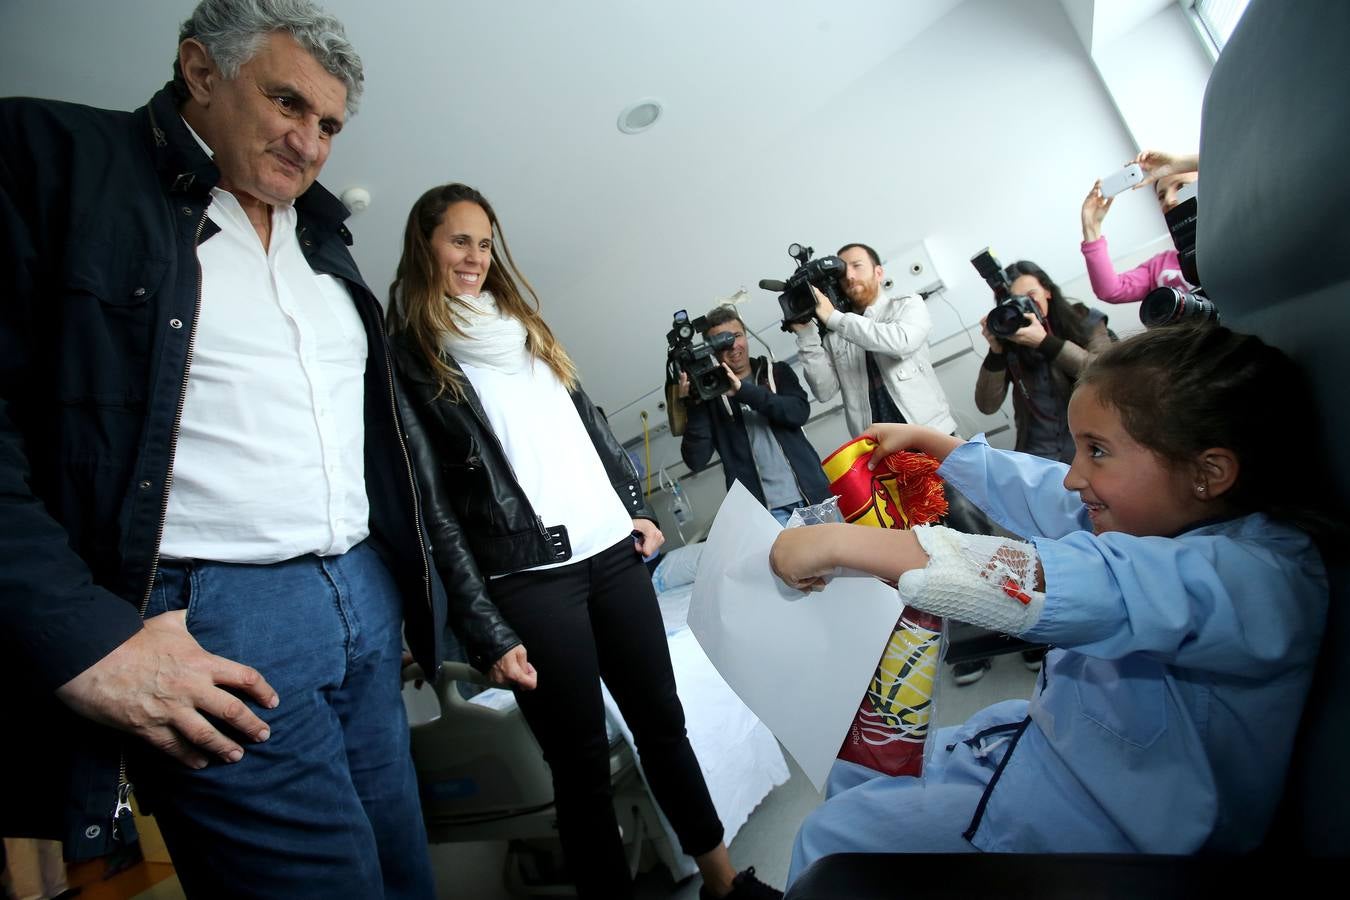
column 271, row 458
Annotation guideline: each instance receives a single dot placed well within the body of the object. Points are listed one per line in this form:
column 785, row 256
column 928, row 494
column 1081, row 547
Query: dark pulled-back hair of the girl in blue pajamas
column 1183, row 389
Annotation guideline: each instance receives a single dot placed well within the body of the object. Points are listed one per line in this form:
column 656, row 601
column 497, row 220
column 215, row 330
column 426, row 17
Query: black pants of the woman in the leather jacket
column 581, row 623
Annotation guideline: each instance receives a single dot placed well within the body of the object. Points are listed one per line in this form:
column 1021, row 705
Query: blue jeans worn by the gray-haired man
column 327, row 806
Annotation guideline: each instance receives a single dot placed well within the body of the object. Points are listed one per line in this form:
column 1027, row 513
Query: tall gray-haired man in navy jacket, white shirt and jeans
column 210, row 536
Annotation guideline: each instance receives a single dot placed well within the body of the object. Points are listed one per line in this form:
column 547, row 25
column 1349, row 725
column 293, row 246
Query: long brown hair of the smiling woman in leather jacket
column 419, row 306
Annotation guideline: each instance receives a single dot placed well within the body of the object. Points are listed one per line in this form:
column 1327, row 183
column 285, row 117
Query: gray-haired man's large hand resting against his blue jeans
column 160, row 686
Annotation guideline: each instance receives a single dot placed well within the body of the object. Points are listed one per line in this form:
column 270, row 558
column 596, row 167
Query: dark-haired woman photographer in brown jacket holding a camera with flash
column 1042, row 360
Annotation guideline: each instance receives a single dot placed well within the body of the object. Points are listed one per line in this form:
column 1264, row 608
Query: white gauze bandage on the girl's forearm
column 981, row 580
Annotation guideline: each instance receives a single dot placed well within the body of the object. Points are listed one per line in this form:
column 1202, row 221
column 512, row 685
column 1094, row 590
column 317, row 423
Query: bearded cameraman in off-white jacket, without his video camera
column 877, row 356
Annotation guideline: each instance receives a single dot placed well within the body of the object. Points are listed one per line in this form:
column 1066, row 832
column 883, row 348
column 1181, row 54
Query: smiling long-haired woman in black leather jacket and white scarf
column 538, row 531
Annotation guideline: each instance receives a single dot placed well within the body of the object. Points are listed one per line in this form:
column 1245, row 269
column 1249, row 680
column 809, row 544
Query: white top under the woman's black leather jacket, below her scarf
column 551, row 454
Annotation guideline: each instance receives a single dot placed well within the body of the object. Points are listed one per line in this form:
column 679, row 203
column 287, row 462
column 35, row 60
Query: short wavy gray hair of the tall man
column 234, row 30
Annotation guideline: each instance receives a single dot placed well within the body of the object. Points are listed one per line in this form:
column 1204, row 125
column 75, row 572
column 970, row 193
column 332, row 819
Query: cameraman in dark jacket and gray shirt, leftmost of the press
column 755, row 427
